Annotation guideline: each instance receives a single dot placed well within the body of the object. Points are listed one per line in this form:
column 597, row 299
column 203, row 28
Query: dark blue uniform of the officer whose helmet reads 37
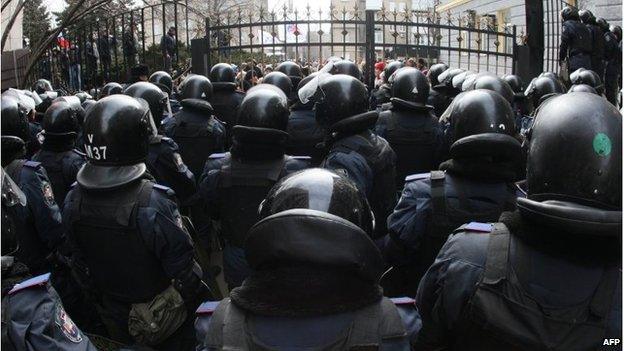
column 131, row 268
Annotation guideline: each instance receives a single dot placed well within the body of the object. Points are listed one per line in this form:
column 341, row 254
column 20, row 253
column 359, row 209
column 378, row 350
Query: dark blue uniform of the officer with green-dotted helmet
column 548, row 279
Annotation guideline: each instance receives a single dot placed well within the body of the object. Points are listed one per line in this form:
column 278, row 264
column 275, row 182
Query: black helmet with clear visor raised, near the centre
column 338, row 97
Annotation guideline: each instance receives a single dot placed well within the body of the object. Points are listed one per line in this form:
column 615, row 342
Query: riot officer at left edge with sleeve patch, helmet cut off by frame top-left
column 43, row 231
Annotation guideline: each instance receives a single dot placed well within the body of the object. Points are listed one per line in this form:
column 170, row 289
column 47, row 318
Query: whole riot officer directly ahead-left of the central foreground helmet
column 233, row 184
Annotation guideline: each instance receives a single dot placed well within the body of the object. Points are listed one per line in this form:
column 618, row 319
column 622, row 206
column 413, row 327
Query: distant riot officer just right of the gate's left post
column 226, row 99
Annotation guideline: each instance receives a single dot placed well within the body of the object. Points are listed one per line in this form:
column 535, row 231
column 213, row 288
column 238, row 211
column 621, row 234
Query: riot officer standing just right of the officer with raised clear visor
column 409, row 126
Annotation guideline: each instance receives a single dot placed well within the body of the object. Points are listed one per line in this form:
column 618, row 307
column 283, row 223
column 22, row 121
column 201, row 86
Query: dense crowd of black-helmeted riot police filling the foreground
column 444, row 210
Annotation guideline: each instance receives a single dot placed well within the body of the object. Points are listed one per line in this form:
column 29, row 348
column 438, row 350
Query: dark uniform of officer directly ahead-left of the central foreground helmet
column 236, row 205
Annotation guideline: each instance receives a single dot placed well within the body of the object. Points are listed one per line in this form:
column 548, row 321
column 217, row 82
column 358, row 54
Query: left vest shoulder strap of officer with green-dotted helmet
column 497, row 254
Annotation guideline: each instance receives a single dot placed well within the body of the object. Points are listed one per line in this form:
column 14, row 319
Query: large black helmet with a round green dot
column 575, row 163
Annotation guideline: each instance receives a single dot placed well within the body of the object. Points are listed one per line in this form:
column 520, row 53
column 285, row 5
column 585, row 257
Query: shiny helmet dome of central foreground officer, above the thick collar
column 321, row 190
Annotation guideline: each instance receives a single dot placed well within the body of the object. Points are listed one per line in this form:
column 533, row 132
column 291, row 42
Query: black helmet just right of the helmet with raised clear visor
column 411, row 85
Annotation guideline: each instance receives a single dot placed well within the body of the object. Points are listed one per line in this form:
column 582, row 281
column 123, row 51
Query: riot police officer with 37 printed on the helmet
column 128, row 244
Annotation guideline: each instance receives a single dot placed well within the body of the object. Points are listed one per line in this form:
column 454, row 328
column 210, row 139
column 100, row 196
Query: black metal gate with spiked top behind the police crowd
column 310, row 36
